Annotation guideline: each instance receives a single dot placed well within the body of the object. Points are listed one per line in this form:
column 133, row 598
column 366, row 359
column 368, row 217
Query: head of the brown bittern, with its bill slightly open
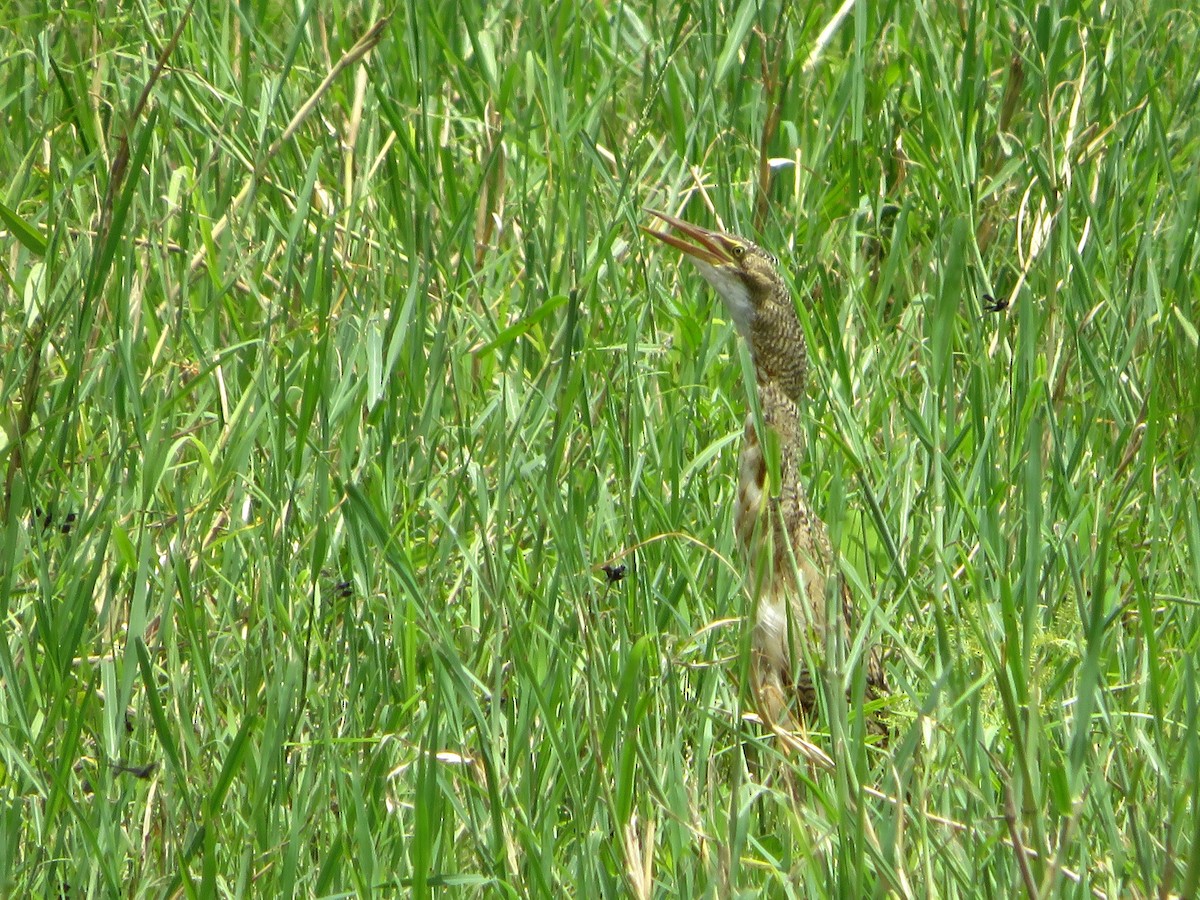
column 746, row 275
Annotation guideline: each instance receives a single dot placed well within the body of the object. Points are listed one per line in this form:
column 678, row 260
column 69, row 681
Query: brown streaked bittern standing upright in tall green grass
column 787, row 549
